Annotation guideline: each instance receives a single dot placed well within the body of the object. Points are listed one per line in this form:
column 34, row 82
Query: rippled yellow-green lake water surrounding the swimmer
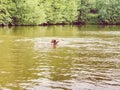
column 86, row 58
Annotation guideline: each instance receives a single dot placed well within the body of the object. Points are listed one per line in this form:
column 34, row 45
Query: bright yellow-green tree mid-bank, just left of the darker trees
column 61, row 11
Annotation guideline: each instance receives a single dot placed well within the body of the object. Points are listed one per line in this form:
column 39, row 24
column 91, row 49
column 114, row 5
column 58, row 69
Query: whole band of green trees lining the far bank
column 48, row 12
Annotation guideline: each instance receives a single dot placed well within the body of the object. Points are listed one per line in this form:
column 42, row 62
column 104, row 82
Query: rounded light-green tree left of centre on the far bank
column 29, row 12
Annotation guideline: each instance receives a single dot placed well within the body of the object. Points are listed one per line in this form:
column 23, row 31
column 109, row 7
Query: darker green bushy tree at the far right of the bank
column 110, row 13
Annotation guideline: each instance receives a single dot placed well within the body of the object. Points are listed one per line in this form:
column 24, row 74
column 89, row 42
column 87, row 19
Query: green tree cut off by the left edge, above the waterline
column 6, row 11
